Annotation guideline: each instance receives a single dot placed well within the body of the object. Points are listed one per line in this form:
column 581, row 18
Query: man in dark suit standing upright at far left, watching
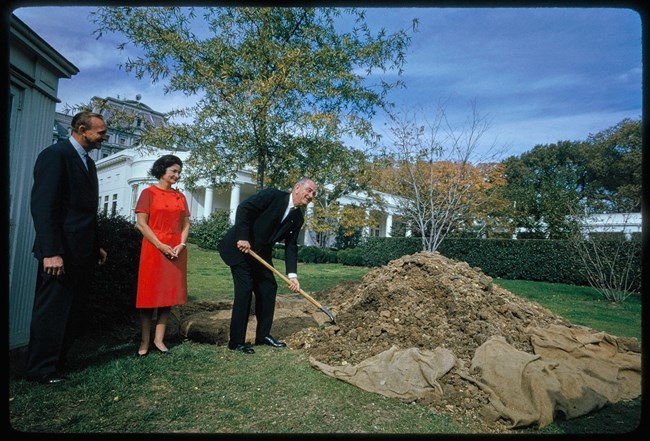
column 64, row 203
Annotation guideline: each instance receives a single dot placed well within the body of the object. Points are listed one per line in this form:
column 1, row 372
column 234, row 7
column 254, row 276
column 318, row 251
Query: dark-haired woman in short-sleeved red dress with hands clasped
column 163, row 218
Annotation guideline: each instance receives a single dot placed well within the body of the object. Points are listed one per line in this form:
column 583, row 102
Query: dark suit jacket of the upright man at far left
column 64, row 203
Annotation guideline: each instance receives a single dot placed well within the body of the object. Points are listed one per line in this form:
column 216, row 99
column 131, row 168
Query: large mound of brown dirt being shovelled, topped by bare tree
column 425, row 301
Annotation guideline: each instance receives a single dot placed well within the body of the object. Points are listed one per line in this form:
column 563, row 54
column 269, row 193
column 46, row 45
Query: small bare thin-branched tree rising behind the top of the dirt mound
column 430, row 168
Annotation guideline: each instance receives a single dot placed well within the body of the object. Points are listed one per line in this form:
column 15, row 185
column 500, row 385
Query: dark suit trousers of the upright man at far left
column 57, row 317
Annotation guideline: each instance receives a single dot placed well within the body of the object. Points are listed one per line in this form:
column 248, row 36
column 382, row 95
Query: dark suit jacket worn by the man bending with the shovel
column 259, row 221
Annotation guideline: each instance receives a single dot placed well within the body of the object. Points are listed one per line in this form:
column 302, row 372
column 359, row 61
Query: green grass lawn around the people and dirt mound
column 207, row 389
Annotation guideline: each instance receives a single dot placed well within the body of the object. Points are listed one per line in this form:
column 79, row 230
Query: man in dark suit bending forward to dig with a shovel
column 263, row 219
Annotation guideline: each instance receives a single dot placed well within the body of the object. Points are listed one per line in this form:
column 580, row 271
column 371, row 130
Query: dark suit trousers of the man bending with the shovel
column 252, row 277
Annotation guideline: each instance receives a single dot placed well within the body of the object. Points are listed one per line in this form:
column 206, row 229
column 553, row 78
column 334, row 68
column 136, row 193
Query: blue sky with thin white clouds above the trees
column 540, row 75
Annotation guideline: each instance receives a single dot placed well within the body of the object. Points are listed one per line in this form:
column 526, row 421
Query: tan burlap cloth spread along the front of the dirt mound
column 572, row 372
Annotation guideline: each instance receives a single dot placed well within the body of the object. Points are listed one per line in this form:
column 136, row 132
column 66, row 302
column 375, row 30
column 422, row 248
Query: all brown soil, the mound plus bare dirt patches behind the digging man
column 424, row 301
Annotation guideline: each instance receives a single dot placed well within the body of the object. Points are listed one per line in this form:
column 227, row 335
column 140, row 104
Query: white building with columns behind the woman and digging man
column 123, row 176
